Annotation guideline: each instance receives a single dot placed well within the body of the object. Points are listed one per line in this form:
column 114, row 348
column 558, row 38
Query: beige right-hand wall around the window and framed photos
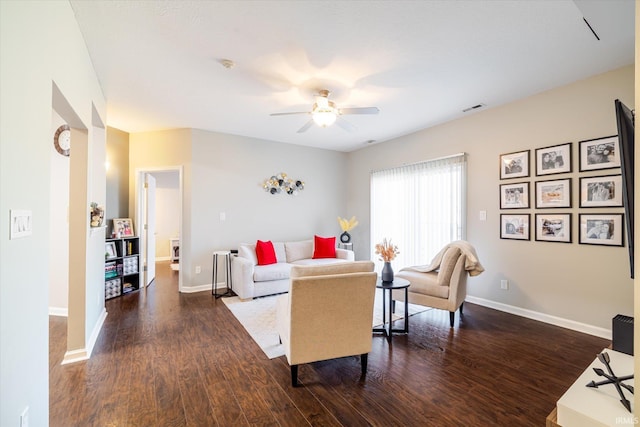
column 575, row 285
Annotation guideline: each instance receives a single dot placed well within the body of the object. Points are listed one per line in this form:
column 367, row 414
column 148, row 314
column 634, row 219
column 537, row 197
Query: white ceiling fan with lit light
column 324, row 113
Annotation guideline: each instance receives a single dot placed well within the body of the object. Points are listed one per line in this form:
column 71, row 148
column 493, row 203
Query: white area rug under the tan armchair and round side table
column 258, row 317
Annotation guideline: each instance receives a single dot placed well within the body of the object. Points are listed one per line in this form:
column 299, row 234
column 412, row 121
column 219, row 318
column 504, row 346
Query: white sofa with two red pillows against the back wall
column 250, row 280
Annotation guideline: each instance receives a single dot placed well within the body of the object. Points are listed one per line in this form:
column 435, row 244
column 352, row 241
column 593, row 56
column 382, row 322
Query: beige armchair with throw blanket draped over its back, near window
column 443, row 283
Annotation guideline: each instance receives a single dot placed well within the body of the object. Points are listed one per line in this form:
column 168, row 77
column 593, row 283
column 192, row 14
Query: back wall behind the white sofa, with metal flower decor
column 224, row 174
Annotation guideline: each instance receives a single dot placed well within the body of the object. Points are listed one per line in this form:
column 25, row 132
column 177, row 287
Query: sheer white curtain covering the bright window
column 420, row 207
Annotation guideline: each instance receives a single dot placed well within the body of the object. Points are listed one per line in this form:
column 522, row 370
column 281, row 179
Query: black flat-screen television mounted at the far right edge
column 625, row 120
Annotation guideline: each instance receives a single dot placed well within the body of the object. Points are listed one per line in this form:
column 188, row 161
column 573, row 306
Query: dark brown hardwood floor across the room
column 170, row 359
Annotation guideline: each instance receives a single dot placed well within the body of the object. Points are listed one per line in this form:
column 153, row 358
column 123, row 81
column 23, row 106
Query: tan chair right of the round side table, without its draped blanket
column 445, row 288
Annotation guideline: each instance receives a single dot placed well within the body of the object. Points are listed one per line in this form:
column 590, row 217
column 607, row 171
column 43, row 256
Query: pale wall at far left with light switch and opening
column 32, row 36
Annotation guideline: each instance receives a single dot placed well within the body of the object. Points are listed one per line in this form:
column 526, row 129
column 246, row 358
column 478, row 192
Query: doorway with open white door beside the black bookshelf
column 159, row 212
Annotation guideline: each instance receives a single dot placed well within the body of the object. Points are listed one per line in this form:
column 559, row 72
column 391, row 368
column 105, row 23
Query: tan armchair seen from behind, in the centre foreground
column 327, row 313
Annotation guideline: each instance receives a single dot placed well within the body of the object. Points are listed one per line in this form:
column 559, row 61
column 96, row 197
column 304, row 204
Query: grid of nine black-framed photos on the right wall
column 540, row 179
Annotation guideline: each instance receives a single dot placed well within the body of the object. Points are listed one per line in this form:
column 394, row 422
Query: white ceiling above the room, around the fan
column 420, row 62
